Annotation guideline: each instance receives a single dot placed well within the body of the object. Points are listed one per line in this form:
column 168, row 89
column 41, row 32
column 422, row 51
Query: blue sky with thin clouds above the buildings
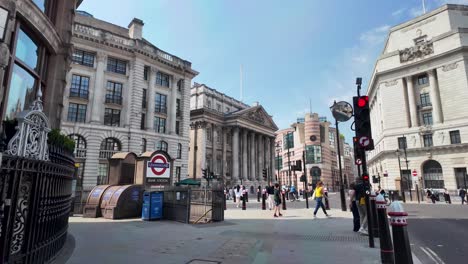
column 296, row 55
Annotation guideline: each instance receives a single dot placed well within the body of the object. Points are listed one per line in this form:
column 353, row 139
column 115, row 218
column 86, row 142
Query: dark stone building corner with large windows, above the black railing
column 34, row 54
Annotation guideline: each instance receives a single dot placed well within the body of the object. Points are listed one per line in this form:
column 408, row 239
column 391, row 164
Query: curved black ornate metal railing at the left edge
column 35, row 205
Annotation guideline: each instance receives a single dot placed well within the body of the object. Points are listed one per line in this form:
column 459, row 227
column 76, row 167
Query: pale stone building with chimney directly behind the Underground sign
column 124, row 94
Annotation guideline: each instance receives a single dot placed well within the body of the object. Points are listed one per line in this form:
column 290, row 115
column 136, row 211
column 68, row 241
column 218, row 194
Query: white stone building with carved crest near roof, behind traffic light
column 418, row 97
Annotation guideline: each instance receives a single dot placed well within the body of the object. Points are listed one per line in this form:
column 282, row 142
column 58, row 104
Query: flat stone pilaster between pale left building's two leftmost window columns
column 97, row 114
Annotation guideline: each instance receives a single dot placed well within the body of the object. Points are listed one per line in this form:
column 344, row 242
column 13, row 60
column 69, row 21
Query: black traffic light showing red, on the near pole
column 362, row 122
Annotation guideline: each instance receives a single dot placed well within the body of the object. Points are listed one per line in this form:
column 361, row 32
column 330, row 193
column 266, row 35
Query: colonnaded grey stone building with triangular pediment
column 230, row 138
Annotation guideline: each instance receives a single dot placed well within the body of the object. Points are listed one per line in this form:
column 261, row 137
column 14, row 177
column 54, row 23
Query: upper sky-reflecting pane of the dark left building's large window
column 27, row 50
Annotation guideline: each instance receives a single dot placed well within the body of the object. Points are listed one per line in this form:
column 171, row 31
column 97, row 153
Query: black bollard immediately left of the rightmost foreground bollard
column 386, row 247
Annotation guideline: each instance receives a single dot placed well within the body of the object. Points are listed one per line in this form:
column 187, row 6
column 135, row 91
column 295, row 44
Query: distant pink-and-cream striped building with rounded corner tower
column 317, row 138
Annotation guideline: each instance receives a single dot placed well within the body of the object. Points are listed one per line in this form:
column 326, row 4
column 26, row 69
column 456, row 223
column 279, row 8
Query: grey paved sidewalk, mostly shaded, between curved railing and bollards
column 251, row 236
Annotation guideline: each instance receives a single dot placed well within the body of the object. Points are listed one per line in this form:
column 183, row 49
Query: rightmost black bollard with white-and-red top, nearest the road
column 399, row 224
